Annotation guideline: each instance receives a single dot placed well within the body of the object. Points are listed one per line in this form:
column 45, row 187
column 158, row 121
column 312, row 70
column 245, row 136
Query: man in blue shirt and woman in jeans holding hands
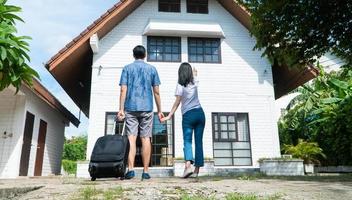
column 138, row 82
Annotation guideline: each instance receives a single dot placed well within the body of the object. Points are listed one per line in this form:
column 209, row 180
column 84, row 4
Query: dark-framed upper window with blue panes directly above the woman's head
column 204, row 50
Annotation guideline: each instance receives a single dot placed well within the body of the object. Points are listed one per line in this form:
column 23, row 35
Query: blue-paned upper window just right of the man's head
column 164, row 49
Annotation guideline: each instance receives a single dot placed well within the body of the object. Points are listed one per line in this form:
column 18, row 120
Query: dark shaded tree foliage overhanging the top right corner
column 296, row 33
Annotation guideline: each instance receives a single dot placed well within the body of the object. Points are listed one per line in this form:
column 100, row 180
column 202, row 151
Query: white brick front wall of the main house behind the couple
column 239, row 84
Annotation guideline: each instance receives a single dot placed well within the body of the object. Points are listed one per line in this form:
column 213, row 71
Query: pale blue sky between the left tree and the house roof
column 52, row 24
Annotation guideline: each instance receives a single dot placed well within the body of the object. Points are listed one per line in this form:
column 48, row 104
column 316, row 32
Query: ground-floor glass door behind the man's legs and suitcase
column 162, row 137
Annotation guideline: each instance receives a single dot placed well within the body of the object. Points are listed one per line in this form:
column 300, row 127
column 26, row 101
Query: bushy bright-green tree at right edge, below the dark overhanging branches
column 322, row 113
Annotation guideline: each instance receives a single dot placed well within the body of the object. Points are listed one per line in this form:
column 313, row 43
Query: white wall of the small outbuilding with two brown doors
column 10, row 148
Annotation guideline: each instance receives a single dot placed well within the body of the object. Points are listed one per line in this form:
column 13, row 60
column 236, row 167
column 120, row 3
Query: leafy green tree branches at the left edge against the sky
column 14, row 69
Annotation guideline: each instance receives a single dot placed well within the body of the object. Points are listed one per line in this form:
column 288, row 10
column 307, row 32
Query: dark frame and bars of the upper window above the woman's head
column 204, row 40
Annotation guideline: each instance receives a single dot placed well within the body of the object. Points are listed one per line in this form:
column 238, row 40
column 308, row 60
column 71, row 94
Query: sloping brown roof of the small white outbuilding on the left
column 39, row 90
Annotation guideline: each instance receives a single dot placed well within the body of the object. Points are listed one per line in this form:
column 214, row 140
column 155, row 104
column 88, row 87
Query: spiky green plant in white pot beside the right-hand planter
column 307, row 151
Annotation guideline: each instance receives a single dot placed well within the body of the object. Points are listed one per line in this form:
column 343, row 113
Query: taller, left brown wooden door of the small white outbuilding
column 27, row 142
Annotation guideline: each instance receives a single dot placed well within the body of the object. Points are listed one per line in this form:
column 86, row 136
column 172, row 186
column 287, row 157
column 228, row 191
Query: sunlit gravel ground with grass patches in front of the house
column 334, row 187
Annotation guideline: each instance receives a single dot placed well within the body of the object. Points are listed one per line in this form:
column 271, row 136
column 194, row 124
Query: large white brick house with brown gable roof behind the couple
column 237, row 86
